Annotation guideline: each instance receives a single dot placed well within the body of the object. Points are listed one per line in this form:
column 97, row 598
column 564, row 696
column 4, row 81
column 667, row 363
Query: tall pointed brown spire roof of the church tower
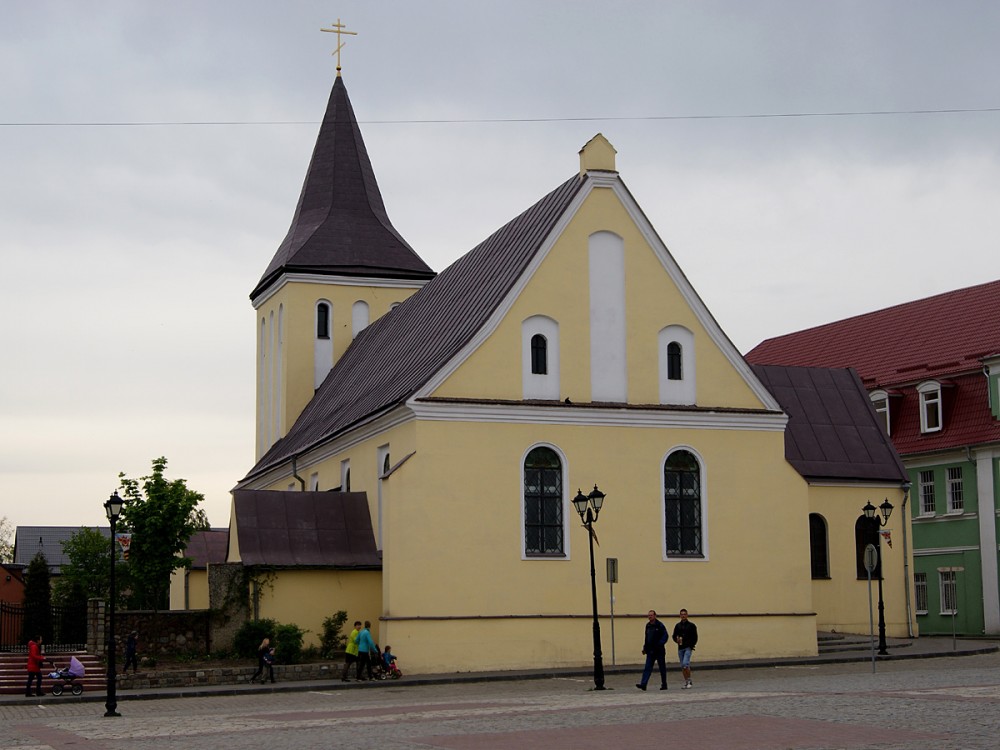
column 340, row 226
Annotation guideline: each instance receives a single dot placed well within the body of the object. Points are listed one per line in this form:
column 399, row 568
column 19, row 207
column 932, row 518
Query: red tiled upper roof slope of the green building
column 929, row 338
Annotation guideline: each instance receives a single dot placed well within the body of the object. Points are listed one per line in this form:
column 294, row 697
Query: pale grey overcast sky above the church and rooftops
column 151, row 156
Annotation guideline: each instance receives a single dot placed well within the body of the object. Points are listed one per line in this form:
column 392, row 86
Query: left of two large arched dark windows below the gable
column 543, row 503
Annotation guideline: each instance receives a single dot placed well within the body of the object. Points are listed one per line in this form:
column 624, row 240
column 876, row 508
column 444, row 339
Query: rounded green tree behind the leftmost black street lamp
column 87, row 574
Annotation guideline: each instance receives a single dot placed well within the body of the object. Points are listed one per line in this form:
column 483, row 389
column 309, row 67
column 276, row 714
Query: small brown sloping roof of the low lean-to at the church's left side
column 305, row 529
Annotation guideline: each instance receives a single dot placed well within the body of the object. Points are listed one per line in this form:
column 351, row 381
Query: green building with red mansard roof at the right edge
column 931, row 368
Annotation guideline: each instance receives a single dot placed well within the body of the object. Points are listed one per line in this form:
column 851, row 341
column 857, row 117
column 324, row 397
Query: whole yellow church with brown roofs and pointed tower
column 421, row 438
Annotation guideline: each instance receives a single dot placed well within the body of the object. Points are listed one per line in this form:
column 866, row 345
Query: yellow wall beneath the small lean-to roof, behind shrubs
column 307, row 597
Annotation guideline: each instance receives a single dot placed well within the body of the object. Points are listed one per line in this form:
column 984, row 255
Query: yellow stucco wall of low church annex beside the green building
column 842, row 600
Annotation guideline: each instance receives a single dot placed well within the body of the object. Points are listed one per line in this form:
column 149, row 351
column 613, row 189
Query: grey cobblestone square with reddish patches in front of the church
column 944, row 704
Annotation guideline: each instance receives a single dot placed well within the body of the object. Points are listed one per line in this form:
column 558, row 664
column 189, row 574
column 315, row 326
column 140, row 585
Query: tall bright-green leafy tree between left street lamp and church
column 161, row 515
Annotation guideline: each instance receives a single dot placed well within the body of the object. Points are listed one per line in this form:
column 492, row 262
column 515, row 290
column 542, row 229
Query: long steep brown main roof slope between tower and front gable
column 392, row 358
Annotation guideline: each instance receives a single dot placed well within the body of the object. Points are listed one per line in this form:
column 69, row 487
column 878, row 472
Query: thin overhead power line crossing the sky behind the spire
column 458, row 121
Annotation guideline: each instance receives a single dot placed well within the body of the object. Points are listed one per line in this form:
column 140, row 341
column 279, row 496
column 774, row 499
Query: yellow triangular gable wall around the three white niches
column 560, row 290
